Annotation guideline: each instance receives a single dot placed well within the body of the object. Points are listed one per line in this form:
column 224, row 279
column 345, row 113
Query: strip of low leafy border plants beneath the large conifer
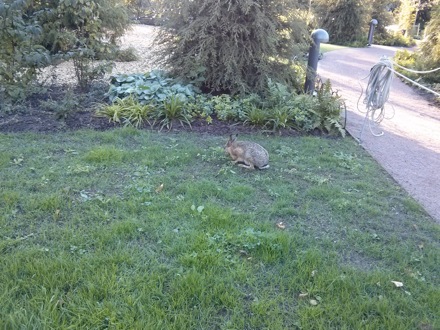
column 170, row 101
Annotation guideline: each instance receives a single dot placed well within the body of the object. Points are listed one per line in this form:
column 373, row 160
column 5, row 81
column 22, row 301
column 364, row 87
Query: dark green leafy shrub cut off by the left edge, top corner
column 20, row 54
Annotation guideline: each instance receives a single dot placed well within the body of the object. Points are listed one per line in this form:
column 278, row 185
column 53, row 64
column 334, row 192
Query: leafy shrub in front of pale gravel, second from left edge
column 82, row 31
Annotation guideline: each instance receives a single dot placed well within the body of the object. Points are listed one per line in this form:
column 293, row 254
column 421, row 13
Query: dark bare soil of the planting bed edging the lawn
column 64, row 114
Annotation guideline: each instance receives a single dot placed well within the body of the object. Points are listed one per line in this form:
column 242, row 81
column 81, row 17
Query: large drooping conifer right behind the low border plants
column 234, row 46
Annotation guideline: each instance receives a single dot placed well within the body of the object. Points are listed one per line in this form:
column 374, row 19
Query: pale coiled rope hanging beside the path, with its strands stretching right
column 378, row 91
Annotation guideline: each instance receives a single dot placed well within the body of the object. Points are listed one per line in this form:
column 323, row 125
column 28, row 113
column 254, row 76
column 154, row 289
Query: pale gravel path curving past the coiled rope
column 409, row 149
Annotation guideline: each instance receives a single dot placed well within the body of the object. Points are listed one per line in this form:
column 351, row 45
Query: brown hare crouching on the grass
column 247, row 154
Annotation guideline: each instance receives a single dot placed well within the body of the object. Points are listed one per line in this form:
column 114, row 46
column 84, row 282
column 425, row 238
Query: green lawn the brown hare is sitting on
column 129, row 229
